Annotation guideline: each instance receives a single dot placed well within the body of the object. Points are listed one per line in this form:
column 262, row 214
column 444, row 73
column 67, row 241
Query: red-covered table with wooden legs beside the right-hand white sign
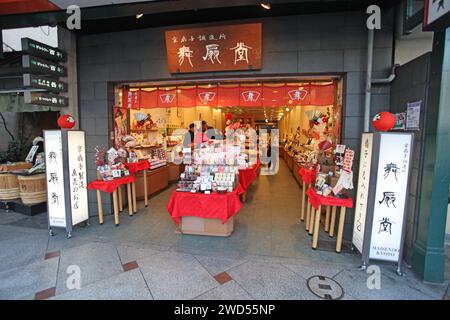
column 317, row 201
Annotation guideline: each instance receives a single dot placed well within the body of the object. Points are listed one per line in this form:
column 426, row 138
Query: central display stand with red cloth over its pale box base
column 211, row 210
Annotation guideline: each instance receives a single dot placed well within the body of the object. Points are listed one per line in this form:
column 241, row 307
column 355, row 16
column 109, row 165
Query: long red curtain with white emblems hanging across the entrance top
column 243, row 95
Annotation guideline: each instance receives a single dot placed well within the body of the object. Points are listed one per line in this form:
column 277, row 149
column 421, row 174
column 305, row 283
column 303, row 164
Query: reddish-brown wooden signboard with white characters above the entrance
column 217, row 48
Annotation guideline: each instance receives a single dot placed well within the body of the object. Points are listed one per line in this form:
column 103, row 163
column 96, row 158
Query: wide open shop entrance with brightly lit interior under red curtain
column 152, row 120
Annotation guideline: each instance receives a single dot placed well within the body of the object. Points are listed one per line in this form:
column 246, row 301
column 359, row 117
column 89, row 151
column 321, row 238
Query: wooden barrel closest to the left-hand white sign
column 33, row 189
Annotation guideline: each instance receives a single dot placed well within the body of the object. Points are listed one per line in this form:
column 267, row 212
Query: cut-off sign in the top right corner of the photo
column 437, row 14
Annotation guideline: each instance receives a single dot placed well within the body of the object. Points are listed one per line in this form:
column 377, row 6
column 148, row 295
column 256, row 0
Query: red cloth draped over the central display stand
column 211, row 206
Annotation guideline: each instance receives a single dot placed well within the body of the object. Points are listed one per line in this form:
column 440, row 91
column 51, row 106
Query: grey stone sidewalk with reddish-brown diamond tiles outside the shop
column 35, row 266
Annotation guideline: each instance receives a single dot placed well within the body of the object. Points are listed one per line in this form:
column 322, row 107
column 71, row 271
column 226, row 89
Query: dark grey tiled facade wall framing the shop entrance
column 305, row 44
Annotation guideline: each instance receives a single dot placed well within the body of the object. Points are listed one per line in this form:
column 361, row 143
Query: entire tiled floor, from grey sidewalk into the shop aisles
column 268, row 257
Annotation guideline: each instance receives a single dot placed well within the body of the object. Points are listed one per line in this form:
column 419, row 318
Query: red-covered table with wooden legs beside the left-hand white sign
column 111, row 187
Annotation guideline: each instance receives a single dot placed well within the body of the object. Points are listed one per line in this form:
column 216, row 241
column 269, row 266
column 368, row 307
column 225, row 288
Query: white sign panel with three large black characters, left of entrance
column 55, row 178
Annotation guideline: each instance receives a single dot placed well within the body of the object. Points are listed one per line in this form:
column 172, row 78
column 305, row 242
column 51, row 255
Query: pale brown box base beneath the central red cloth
column 207, row 227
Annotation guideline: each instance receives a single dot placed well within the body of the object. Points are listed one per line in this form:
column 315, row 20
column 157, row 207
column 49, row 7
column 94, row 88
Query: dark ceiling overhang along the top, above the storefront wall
column 177, row 12
